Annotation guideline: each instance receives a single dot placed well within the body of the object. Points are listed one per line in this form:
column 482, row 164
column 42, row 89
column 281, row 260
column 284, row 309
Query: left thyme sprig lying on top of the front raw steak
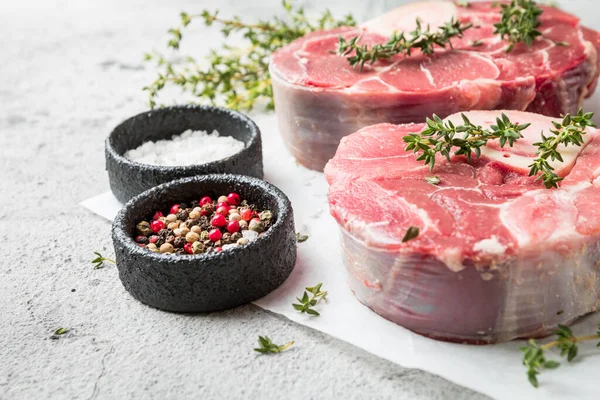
column 443, row 137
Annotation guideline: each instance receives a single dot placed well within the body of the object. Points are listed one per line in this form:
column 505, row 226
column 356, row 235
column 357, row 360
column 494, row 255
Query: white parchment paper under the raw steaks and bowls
column 494, row 370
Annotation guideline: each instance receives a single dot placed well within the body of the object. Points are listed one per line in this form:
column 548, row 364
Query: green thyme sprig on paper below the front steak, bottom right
column 534, row 357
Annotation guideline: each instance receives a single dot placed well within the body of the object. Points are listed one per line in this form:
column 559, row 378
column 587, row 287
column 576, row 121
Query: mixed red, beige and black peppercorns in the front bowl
column 204, row 226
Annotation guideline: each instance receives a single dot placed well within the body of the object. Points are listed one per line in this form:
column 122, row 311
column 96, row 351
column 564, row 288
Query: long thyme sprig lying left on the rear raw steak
column 400, row 43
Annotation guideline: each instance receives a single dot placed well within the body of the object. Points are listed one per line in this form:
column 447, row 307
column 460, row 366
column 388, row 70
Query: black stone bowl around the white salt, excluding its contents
column 129, row 178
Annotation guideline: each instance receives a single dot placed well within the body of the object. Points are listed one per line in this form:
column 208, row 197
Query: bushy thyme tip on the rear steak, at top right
column 519, row 22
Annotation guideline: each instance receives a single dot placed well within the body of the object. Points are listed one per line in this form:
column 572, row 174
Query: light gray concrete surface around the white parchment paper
column 69, row 72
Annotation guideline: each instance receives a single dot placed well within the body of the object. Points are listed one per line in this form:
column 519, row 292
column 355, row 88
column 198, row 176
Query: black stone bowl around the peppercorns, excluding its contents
column 213, row 281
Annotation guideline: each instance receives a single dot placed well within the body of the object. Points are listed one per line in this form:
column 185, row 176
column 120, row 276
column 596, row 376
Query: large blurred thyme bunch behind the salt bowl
column 236, row 77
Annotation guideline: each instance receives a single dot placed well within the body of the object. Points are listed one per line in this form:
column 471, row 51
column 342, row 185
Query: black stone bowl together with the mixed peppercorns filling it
column 207, row 270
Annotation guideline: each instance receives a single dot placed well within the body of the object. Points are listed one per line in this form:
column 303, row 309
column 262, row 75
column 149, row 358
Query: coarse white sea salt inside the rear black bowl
column 188, row 148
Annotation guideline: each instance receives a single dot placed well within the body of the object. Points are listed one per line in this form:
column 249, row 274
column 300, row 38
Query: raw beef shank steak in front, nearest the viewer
column 498, row 255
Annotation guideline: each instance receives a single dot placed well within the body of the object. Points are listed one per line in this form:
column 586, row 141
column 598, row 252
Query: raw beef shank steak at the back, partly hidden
column 320, row 99
